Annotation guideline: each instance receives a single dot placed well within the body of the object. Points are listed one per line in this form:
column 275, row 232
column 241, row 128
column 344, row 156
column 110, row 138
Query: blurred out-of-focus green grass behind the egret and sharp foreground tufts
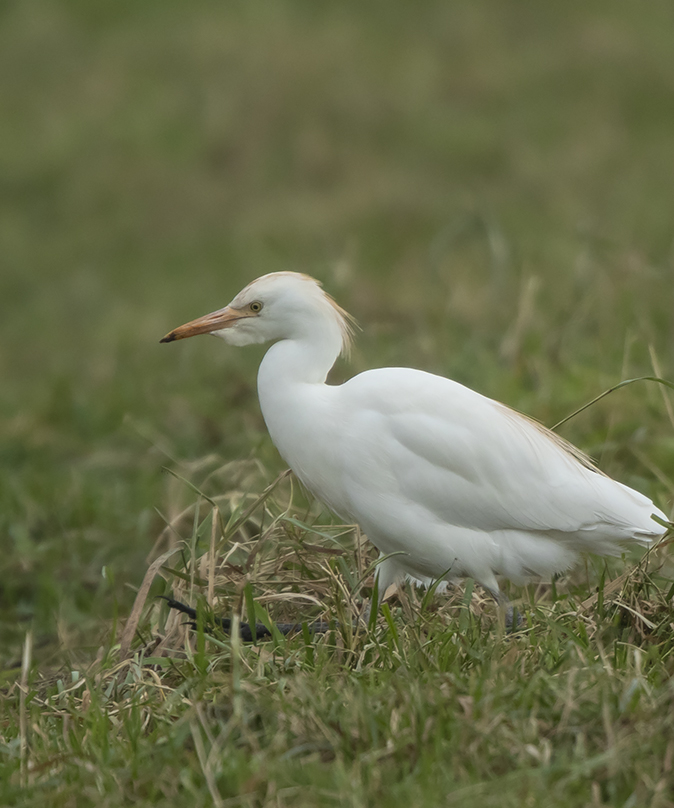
column 486, row 185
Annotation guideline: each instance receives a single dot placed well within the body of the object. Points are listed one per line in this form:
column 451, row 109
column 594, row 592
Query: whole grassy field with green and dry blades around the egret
column 487, row 186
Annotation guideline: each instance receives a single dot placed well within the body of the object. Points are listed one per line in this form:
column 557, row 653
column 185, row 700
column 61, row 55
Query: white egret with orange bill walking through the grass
column 445, row 482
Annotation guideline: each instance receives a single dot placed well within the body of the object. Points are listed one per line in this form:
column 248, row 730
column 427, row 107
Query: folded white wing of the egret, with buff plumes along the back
column 473, row 462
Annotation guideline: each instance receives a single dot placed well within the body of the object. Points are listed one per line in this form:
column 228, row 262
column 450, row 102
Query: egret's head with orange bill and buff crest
column 281, row 305
